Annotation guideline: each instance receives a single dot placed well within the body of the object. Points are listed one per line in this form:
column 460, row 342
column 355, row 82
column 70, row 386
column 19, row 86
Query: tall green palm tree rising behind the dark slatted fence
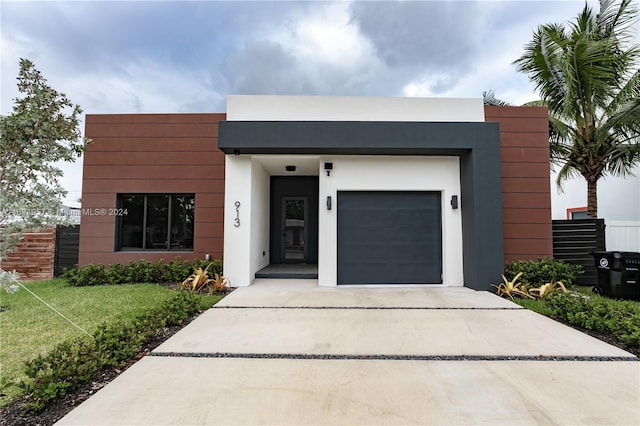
column 588, row 77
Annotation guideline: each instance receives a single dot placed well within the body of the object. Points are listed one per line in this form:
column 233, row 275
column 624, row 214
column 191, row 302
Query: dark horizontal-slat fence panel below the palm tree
column 573, row 240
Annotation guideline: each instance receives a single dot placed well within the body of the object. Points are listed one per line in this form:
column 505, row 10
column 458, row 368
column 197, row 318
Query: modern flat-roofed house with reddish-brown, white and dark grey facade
column 374, row 191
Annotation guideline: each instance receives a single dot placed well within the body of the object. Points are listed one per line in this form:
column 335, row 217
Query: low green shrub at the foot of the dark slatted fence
column 543, row 271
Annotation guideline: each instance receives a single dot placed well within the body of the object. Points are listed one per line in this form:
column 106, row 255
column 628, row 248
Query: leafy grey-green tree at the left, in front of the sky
column 42, row 128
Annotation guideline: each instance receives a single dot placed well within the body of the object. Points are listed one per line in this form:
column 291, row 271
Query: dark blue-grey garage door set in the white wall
column 389, row 238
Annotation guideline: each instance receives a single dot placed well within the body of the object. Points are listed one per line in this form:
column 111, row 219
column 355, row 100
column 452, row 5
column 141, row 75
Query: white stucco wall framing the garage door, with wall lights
column 385, row 173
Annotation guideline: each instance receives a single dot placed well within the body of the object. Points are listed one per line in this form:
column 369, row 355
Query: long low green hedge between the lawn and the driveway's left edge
column 73, row 362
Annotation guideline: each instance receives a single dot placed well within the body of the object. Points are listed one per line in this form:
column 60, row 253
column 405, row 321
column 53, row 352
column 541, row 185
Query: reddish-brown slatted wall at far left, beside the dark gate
column 33, row 257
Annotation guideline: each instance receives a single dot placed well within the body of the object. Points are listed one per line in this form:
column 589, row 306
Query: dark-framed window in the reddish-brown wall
column 155, row 222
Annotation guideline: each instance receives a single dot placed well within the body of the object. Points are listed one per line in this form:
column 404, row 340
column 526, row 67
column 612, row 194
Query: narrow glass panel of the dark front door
column 294, row 230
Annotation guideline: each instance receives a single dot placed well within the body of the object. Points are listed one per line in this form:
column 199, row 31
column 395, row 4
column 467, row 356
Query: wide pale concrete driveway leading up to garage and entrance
column 290, row 352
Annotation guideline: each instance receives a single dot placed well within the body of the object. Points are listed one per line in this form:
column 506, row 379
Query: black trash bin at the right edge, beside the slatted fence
column 618, row 273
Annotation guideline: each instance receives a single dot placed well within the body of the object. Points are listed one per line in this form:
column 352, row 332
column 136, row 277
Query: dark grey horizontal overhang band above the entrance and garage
column 354, row 137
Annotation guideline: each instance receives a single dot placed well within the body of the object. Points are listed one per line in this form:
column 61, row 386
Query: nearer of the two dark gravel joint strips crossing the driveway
column 580, row 358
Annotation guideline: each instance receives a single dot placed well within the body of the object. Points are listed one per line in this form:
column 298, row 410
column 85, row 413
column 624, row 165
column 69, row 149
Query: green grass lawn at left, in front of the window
column 28, row 327
